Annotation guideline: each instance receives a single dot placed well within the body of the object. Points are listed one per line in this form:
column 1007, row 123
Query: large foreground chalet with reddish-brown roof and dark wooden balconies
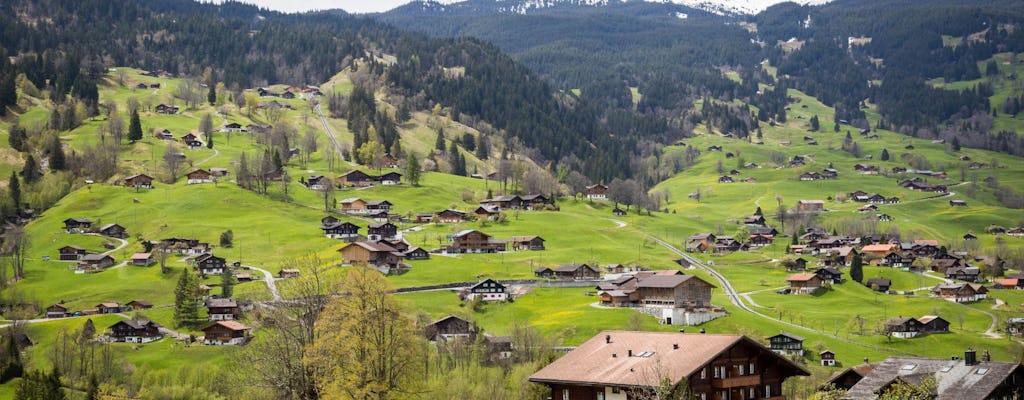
column 616, row 364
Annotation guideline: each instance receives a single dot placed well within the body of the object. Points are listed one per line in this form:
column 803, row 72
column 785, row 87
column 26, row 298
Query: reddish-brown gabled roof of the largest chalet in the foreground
column 606, row 360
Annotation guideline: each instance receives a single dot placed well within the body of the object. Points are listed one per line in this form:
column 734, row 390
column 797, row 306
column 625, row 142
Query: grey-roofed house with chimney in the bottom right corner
column 959, row 379
